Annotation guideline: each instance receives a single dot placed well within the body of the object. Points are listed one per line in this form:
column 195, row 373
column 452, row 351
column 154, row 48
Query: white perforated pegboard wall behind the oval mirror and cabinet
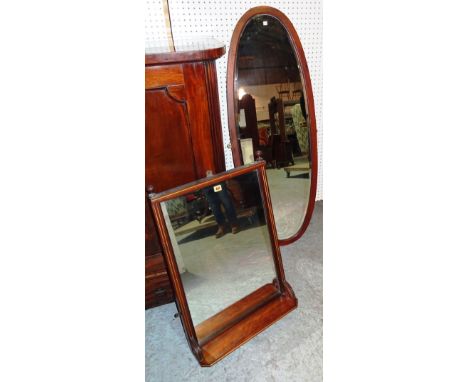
column 217, row 18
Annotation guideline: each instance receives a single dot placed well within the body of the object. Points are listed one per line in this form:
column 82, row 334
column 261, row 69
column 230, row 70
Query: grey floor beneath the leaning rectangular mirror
column 290, row 350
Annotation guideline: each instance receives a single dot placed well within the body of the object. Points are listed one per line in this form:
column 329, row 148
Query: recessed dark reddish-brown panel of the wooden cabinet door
column 169, row 156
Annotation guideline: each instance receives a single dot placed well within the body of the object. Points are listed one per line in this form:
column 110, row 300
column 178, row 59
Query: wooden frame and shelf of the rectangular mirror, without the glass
column 262, row 308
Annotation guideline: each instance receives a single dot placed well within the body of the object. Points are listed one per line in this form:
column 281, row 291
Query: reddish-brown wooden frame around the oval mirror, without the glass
column 307, row 87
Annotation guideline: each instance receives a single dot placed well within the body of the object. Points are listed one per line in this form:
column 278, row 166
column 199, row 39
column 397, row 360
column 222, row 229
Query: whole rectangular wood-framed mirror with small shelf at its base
column 227, row 289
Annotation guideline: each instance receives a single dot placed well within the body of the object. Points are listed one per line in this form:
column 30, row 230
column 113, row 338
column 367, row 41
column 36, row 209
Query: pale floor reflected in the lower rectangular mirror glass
column 212, row 280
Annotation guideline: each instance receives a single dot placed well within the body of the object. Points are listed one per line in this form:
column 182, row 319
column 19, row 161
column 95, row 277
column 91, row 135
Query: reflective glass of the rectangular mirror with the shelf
column 222, row 247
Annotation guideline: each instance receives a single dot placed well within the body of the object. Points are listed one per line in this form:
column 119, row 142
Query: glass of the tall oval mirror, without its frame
column 271, row 110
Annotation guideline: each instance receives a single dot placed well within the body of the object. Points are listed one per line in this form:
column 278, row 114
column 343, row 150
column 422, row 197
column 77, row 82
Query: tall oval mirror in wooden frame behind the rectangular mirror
column 272, row 116
